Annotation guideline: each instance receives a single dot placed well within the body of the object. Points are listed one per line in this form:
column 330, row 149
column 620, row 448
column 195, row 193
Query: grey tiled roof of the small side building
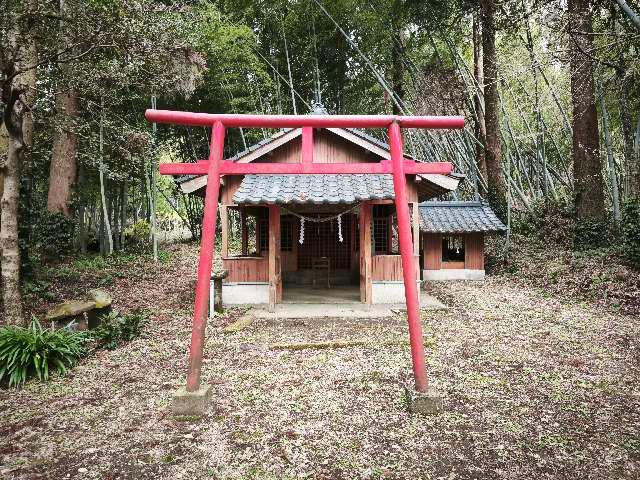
column 458, row 217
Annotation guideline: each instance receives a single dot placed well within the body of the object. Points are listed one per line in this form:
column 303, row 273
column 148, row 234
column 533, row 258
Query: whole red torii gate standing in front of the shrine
column 216, row 166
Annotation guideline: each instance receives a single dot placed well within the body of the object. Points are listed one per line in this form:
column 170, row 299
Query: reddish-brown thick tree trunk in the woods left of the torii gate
column 62, row 173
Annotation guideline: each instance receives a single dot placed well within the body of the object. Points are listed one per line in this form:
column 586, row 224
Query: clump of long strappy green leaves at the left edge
column 34, row 351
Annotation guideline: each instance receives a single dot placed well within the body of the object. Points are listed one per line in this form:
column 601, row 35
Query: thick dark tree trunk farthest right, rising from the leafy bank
column 587, row 167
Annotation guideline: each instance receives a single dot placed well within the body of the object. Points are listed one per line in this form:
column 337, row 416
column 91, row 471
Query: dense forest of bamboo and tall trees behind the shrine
column 551, row 91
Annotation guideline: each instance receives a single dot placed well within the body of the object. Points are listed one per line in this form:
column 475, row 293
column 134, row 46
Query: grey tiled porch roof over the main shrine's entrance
column 315, row 189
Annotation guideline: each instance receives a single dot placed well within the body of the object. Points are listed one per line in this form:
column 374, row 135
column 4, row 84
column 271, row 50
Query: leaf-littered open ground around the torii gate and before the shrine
column 535, row 385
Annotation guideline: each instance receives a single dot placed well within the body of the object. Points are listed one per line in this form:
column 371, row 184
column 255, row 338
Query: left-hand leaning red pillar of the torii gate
column 207, row 246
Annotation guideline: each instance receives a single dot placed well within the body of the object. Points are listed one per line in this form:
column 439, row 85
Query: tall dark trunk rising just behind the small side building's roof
column 497, row 192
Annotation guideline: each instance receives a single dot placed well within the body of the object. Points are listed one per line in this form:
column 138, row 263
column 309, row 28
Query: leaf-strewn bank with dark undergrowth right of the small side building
column 596, row 262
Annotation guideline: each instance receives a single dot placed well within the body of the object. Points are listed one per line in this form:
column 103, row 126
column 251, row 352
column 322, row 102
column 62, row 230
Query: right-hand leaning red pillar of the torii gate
column 406, row 251
